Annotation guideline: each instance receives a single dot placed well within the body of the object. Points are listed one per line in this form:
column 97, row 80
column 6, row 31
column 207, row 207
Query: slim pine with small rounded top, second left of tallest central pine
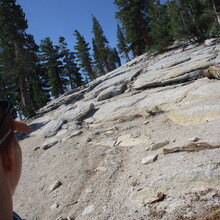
column 70, row 69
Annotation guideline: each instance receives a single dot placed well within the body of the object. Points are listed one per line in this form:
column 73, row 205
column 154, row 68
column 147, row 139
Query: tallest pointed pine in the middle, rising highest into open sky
column 100, row 48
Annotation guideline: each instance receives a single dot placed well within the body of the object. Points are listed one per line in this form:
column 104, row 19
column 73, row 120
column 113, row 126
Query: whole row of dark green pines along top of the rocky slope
column 31, row 74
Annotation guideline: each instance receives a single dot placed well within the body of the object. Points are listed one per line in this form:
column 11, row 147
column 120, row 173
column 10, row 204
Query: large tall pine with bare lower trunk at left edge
column 14, row 44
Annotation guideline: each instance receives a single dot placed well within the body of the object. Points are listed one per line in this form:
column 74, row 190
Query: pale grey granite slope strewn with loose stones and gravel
column 141, row 142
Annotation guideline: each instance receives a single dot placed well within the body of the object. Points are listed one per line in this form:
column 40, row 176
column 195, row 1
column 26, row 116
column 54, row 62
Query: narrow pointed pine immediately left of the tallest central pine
column 83, row 56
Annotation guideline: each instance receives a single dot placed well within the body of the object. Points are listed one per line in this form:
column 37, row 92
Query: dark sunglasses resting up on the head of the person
column 8, row 111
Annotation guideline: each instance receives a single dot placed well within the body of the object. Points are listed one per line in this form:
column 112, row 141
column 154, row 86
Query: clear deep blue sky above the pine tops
column 55, row 18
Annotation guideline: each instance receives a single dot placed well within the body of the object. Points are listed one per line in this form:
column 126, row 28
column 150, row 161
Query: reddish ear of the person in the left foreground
column 8, row 157
